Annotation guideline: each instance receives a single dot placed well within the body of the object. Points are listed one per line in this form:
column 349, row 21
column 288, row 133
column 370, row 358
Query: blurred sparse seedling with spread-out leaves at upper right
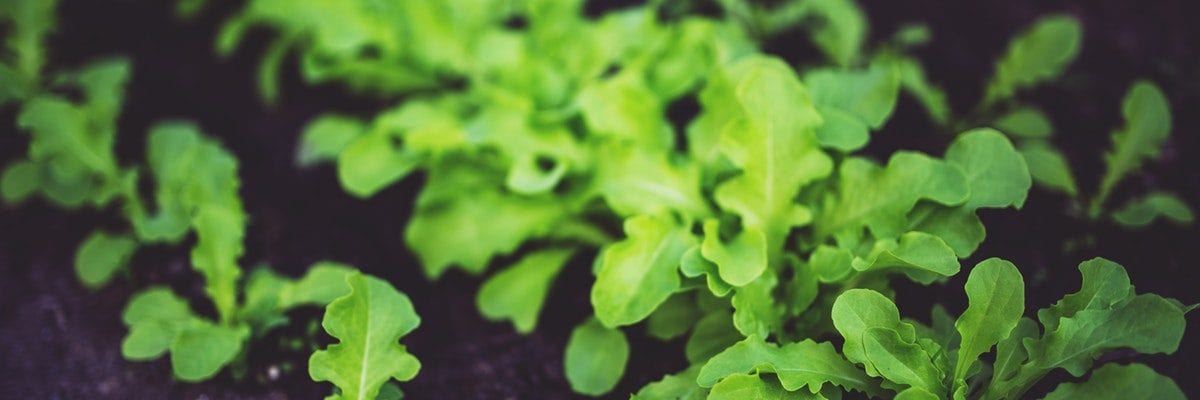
column 1041, row 55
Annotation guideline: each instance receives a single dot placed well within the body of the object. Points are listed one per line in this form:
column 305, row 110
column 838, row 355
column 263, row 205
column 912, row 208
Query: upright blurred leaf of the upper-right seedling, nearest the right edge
column 1148, row 118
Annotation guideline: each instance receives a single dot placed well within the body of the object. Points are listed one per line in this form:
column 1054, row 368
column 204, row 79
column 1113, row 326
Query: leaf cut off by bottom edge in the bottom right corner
column 1115, row 381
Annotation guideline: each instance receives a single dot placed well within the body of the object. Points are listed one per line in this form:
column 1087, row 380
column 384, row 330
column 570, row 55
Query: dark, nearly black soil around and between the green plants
column 58, row 341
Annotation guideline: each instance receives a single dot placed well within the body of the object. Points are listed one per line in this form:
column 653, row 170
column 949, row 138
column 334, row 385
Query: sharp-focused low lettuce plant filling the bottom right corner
column 884, row 354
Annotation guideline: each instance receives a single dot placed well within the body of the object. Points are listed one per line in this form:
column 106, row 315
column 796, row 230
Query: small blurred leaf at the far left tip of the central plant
column 326, row 138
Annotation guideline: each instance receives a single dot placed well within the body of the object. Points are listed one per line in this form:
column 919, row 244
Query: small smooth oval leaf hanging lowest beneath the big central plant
column 596, row 359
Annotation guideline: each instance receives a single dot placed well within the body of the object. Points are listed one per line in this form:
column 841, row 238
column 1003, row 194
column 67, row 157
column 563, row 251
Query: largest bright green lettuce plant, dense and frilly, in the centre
column 746, row 223
